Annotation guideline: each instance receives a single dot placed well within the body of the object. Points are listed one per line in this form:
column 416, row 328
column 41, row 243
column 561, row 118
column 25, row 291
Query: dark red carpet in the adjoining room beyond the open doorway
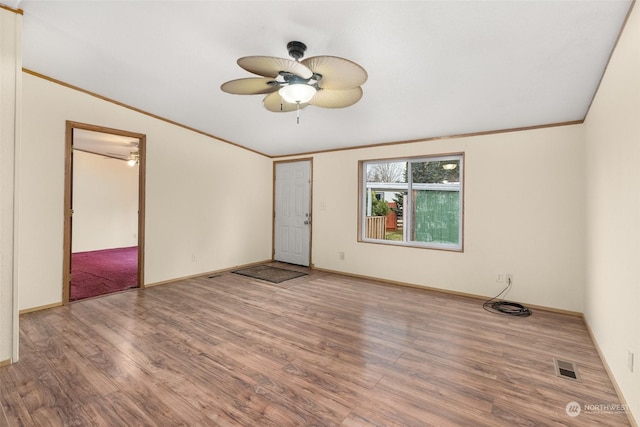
column 102, row 272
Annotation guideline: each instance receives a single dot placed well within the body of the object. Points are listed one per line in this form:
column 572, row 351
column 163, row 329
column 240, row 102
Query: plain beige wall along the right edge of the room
column 612, row 291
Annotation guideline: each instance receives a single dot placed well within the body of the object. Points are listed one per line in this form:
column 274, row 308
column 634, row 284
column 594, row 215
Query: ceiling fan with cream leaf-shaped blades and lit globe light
column 290, row 85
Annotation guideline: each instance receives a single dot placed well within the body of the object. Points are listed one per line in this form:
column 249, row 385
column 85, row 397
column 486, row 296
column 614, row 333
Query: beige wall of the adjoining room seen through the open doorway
column 105, row 203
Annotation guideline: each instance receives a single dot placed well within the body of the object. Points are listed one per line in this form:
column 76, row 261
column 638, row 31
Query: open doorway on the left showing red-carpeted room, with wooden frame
column 104, row 211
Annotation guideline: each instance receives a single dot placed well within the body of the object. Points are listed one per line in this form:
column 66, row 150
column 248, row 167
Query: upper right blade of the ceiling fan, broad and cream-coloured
column 337, row 73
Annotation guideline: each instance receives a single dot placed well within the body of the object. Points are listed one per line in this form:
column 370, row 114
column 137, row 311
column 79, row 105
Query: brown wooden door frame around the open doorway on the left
column 68, row 189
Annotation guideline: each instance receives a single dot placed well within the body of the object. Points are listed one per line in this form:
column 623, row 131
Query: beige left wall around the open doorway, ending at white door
column 204, row 198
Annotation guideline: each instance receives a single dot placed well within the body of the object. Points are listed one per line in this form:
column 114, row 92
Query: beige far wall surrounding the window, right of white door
column 524, row 215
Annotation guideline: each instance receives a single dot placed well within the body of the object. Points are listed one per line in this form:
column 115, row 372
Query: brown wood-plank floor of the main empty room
column 319, row 350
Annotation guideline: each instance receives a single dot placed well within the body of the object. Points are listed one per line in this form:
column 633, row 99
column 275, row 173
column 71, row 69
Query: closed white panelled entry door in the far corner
column 292, row 224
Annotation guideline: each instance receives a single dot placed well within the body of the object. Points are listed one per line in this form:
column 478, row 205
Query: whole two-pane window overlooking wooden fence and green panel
column 413, row 202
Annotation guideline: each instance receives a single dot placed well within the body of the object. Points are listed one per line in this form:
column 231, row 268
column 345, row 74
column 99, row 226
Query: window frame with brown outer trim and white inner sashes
column 362, row 202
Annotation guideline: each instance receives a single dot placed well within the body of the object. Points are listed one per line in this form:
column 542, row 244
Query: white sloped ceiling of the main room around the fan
column 436, row 68
